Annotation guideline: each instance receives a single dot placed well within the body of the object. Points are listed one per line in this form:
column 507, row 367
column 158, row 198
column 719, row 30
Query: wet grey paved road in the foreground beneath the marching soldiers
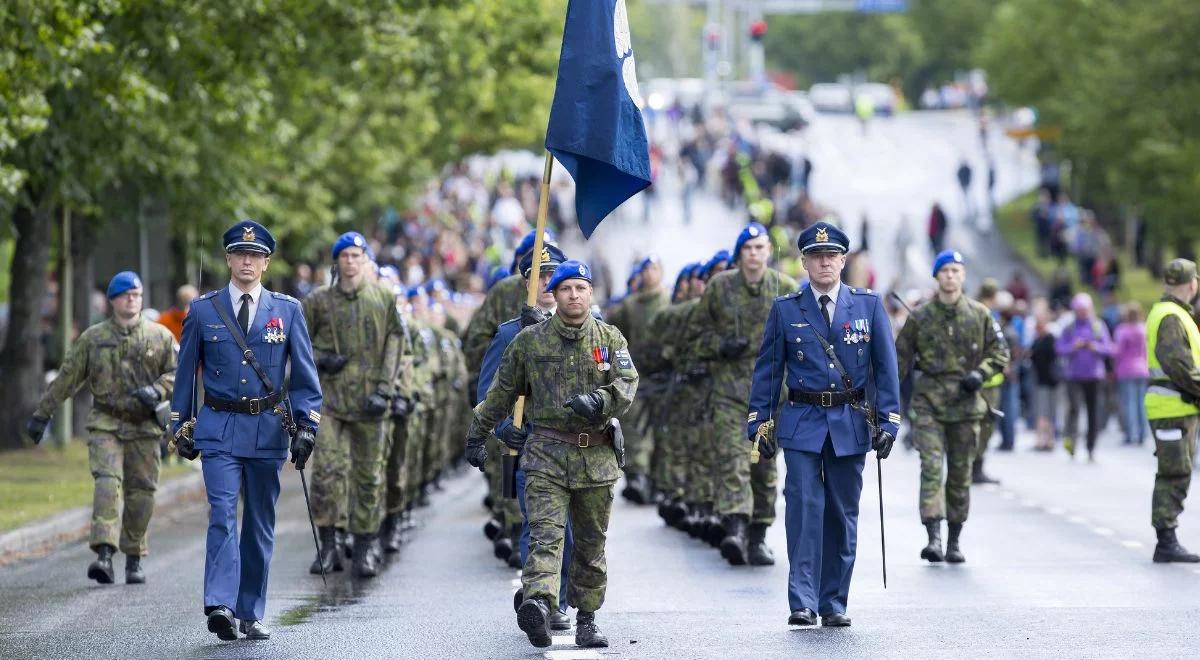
column 1059, row 566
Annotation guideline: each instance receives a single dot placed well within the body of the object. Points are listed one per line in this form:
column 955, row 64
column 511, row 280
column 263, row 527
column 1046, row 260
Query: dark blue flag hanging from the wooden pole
column 596, row 127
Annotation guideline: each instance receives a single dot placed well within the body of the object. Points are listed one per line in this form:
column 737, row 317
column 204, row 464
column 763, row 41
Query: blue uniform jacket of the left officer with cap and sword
column 208, row 343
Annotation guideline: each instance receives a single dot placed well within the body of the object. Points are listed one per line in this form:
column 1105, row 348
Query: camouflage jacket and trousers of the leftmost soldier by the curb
column 123, row 445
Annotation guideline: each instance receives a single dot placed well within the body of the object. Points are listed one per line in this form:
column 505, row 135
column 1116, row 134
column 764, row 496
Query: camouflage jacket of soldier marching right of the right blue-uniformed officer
column 945, row 343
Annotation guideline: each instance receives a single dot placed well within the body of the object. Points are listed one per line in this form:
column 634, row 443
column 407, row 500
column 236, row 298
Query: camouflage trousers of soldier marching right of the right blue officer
column 946, row 453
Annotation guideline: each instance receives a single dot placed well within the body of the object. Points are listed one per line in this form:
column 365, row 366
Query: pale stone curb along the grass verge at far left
column 43, row 537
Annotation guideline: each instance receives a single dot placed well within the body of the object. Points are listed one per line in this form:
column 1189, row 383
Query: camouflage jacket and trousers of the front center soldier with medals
column 553, row 363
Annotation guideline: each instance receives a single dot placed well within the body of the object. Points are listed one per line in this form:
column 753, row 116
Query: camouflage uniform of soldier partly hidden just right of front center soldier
column 633, row 319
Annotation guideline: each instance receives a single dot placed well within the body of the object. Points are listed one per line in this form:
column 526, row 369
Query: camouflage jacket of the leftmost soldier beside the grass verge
column 113, row 362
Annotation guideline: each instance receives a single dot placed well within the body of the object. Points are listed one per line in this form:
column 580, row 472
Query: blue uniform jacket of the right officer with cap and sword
column 791, row 350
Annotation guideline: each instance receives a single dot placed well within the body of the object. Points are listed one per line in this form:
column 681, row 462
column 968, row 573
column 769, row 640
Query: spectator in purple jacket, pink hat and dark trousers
column 1083, row 346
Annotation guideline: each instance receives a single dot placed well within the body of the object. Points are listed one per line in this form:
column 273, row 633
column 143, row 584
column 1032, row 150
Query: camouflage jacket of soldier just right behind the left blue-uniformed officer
column 364, row 327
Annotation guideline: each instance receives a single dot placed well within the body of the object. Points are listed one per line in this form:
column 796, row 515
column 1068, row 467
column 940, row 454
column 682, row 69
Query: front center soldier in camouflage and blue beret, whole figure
column 578, row 375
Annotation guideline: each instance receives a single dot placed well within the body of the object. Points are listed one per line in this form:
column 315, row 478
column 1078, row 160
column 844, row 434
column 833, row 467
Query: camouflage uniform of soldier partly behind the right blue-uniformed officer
column 733, row 308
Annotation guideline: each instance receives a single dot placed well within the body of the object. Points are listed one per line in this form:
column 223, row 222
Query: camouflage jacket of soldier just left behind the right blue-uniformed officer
column 733, row 308
